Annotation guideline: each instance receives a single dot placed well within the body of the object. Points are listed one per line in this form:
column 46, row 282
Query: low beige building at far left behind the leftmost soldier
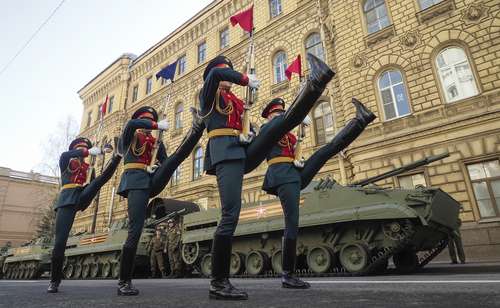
column 24, row 197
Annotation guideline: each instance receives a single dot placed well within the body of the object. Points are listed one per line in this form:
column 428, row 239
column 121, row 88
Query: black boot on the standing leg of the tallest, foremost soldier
column 220, row 287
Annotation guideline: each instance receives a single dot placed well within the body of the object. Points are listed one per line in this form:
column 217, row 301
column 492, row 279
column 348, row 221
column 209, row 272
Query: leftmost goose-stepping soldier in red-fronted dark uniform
column 74, row 196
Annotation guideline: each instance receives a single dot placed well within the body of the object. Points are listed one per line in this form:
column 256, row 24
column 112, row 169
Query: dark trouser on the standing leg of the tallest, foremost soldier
column 229, row 180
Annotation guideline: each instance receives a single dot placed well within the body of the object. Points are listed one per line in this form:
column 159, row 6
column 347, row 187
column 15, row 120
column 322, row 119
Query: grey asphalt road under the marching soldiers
column 436, row 286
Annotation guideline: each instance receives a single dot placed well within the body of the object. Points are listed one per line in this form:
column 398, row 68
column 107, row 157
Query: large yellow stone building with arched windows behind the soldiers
column 429, row 69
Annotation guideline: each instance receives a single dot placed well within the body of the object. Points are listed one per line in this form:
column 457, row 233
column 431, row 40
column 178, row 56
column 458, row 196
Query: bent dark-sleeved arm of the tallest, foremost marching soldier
column 211, row 84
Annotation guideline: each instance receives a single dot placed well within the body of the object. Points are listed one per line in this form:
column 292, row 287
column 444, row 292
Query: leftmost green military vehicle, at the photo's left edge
column 28, row 261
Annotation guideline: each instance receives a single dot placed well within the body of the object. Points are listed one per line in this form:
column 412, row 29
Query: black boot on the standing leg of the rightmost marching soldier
column 288, row 280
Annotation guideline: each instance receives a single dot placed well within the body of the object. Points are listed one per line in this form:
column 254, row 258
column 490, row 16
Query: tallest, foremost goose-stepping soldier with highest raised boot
column 229, row 157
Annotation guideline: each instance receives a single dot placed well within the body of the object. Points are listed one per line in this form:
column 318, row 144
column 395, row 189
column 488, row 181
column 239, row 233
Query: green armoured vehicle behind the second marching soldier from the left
column 98, row 255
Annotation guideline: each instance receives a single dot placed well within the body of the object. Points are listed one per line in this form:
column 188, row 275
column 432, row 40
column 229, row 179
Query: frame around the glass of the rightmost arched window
column 437, row 51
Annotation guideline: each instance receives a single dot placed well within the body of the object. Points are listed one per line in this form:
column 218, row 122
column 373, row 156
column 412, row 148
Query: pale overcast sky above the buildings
column 38, row 89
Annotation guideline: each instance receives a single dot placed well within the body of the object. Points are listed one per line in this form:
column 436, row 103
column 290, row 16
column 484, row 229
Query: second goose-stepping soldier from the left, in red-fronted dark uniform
column 138, row 184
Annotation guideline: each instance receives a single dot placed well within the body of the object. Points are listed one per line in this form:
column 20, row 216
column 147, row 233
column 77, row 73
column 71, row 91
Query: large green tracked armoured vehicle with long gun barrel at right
column 344, row 230
